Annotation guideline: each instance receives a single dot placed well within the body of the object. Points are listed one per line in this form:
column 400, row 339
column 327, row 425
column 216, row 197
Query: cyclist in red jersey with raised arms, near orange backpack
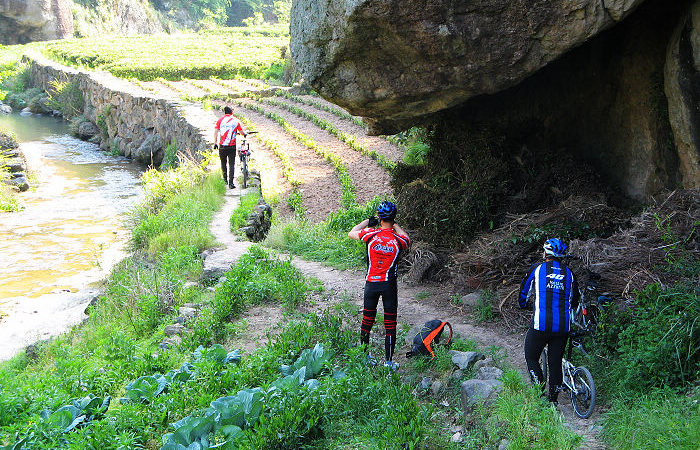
column 384, row 246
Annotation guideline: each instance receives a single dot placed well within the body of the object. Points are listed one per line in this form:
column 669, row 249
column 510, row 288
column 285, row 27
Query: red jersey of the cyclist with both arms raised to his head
column 383, row 248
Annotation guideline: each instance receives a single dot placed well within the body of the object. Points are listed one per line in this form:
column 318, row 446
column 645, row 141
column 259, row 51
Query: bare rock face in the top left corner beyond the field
column 23, row 21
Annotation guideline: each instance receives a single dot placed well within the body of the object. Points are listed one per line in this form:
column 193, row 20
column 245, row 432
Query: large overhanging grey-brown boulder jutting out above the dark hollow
column 392, row 61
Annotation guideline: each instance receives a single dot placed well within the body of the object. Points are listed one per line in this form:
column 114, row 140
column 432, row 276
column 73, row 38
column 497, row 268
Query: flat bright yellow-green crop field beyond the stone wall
column 223, row 54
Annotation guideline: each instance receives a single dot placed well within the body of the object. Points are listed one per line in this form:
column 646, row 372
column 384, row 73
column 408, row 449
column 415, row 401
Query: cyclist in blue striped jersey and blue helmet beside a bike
column 553, row 289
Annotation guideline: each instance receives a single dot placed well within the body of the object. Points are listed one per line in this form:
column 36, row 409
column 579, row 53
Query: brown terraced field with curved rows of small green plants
column 318, row 156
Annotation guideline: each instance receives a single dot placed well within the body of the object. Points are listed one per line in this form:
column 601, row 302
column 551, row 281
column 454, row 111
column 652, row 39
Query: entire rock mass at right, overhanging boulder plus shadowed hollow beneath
column 548, row 76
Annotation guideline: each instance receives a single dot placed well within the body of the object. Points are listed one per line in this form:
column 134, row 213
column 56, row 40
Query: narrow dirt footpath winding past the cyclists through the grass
column 415, row 308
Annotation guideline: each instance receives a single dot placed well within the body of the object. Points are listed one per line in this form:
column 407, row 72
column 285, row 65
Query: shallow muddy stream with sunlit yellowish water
column 71, row 232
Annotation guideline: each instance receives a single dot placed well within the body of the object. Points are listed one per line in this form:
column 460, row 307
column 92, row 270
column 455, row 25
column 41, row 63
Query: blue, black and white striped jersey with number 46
column 555, row 290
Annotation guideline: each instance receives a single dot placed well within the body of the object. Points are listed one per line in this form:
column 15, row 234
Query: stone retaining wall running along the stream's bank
column 127, row 115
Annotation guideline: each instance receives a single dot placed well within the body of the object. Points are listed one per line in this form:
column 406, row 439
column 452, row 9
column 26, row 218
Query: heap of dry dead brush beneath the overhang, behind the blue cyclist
column 627, row 260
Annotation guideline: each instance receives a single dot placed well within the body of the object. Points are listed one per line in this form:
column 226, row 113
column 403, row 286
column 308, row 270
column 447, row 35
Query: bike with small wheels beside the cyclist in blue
column 577, row 380
